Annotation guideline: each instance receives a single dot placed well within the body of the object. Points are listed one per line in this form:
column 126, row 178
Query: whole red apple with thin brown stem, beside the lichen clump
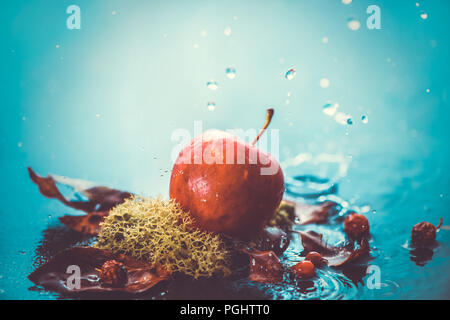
column 226, row 194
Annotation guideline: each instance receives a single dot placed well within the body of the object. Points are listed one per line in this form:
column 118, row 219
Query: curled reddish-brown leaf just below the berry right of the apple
column 336, row 256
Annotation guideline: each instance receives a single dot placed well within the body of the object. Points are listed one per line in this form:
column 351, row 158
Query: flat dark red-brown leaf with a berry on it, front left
column 54, row 274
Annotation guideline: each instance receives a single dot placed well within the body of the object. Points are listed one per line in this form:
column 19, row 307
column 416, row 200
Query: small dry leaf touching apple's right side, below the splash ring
column 313, row 213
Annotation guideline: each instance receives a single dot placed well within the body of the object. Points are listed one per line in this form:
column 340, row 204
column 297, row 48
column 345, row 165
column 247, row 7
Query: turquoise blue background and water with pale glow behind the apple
column 139, row 70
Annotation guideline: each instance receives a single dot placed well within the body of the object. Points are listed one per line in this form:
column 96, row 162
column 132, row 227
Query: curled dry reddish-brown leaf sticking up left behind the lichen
column 99, row 200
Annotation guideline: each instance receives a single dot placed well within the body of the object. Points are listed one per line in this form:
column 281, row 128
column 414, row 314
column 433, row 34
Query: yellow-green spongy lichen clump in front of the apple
column 158, row 232
